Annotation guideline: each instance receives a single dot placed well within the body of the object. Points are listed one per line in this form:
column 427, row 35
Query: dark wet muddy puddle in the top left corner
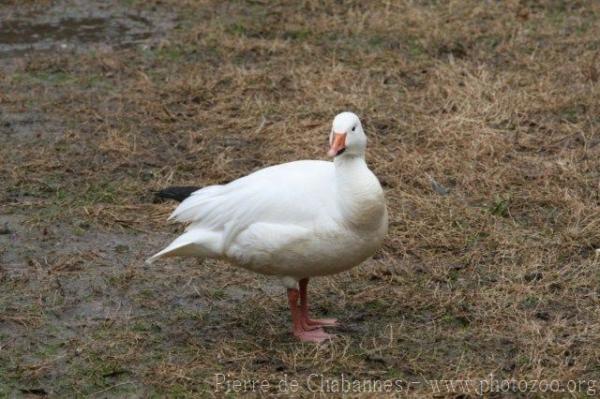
column 78, row 26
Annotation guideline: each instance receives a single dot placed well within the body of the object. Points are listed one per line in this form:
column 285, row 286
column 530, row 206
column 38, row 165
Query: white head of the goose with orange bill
column 347, row 136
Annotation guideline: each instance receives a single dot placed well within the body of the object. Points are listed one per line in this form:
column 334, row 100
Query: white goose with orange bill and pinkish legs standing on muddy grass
column 295, row 220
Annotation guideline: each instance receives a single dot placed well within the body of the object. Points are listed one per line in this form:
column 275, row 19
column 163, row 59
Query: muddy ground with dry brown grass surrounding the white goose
column 483, row 122
